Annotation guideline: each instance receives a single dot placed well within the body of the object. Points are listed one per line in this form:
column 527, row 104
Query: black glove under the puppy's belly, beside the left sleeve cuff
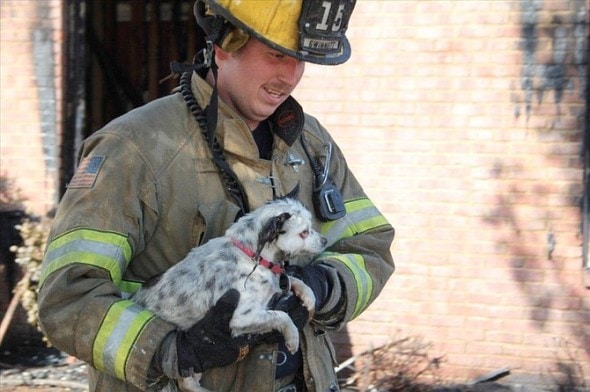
column 209, row 342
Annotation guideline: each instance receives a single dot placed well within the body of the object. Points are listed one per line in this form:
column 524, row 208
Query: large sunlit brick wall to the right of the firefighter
column 464, row 121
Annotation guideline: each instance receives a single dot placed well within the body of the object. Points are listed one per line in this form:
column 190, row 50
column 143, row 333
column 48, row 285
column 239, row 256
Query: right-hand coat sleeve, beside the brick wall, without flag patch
column 358, row 257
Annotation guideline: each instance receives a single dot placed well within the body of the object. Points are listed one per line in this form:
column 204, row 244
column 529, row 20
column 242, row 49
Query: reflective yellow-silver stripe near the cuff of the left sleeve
column 115, row 339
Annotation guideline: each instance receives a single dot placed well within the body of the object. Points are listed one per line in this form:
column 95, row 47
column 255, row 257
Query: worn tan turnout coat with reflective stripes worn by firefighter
column 145, row 192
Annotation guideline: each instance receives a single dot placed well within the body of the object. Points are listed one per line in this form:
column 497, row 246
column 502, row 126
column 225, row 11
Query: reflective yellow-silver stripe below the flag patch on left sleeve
column 107, row 250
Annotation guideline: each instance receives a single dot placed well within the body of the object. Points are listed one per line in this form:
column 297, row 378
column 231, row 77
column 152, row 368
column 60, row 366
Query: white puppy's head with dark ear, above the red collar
column 287, row 228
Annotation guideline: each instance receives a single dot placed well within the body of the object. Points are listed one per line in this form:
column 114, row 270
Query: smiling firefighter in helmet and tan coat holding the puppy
column 177, row 172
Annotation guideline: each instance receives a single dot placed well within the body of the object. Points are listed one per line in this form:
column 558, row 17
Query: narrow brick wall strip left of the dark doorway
column 31, row 77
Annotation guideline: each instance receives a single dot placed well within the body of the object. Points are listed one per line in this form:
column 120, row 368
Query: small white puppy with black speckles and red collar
column 248, row 258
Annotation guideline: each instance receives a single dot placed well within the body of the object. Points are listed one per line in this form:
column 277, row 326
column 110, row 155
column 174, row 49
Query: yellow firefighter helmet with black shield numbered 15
column 309, row 30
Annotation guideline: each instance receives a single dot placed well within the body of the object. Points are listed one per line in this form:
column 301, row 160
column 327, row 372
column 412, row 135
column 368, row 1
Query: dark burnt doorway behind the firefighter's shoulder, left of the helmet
column 117, row 52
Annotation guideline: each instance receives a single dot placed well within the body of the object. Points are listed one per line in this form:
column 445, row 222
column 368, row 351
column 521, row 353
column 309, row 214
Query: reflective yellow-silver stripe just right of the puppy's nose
column 361, row 216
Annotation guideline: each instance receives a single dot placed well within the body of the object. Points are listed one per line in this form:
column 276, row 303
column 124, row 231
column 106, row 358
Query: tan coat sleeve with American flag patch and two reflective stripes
column 99, row 226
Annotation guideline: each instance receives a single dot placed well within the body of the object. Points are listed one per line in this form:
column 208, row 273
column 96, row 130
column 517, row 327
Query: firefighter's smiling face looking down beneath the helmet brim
column 255, row 80
